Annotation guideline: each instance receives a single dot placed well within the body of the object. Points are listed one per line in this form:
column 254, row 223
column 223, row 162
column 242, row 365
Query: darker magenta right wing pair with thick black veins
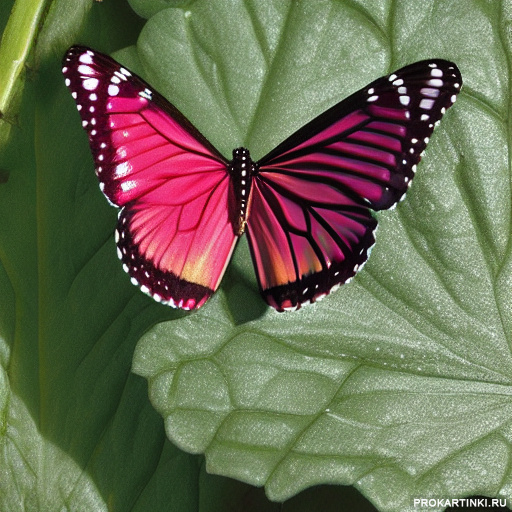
column 309, row 226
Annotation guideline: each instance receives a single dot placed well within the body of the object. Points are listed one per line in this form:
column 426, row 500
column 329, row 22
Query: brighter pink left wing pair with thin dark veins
column 175, row 232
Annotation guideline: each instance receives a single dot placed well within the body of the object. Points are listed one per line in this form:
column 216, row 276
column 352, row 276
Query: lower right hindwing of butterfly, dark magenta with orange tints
column 302, row 243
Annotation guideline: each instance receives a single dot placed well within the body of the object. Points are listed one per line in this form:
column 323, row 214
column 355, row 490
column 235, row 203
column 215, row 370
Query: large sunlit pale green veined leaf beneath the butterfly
column 399, row 382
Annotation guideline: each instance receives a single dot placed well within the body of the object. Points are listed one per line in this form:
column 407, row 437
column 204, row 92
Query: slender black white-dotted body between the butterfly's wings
column 241, row 170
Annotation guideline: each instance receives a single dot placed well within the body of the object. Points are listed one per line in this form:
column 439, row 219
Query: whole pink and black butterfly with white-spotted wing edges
column 306, row 206
